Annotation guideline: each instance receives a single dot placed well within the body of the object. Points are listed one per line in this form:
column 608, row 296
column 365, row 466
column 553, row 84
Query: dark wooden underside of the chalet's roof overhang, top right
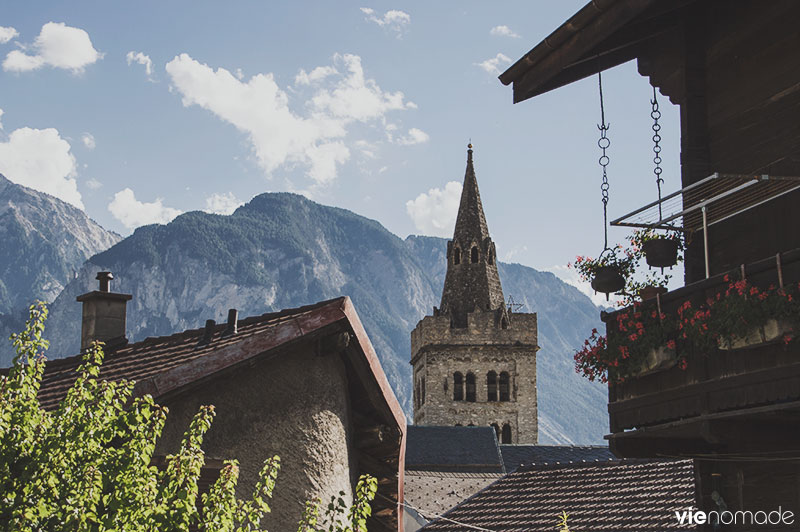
column 603, row 34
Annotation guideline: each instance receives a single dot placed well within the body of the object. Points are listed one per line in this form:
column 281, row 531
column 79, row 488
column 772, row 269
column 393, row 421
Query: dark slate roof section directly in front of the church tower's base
column 466, row 449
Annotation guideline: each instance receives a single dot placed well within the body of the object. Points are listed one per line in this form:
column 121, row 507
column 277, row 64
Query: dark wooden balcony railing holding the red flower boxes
column 715, row 382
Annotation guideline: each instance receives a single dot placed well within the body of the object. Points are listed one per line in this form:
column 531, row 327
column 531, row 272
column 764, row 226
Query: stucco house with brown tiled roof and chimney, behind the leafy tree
column 302, row 383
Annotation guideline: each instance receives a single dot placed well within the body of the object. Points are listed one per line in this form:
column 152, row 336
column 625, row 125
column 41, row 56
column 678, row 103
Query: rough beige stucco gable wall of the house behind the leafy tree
column 294, row 405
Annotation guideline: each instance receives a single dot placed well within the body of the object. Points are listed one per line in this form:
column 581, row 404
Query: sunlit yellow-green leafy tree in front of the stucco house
column 87, row 465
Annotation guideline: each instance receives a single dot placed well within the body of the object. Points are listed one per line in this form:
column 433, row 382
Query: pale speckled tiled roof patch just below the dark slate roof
column 432, row 493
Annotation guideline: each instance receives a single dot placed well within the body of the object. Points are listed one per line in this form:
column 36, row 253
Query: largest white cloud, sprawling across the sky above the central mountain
column 279, row 135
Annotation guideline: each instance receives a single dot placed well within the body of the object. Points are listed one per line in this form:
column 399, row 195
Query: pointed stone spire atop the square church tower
column 472, row 282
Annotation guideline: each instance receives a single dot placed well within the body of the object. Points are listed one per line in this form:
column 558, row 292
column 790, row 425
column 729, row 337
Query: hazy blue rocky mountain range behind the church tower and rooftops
column 280, row 251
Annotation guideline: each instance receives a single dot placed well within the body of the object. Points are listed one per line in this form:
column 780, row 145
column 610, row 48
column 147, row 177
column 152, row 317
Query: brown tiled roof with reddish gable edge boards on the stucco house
column 169, row 364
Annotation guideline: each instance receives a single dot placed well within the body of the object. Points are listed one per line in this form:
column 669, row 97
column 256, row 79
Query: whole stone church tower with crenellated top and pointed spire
column 474, row 359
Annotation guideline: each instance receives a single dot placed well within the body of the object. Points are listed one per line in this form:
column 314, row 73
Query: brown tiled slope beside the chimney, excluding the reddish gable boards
column 161, row 364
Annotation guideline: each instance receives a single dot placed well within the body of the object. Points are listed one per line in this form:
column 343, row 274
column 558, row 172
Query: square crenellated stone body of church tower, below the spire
column 439, row 351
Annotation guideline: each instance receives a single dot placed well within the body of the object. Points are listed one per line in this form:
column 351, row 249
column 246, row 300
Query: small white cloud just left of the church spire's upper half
column 434, row 213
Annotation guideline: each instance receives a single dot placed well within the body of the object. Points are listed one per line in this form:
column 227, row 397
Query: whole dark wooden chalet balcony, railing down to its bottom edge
column 738, row 400
